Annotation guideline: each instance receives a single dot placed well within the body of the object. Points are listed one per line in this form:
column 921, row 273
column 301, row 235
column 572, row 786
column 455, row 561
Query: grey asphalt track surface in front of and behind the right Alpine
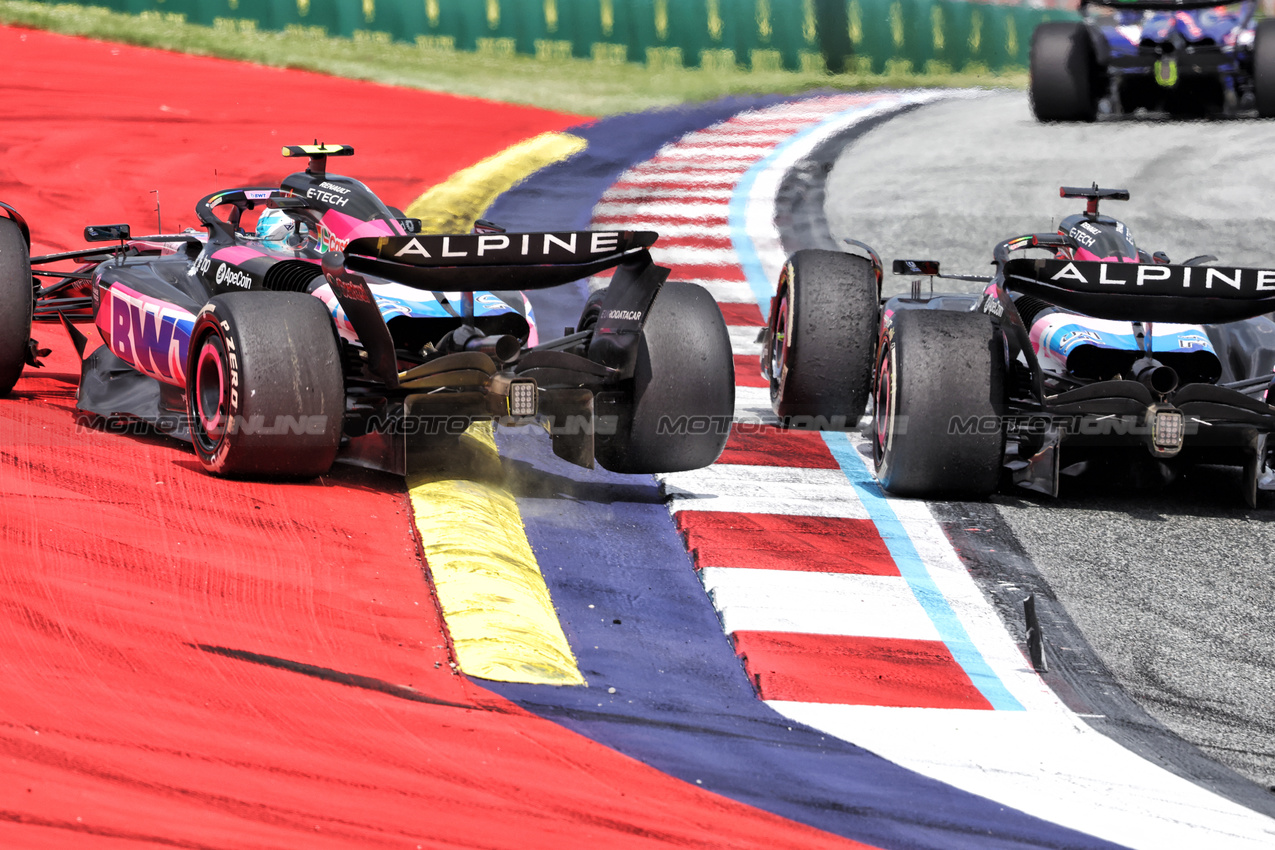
column 1171, row 587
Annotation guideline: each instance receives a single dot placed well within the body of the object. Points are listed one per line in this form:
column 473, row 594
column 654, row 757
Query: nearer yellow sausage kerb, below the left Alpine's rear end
column 494, row 597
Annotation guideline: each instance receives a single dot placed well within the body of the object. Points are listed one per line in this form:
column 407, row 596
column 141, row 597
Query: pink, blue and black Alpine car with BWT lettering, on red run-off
column 332, row 329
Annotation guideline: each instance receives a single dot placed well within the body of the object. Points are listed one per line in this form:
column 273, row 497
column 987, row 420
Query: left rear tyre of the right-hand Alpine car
column 940, row 392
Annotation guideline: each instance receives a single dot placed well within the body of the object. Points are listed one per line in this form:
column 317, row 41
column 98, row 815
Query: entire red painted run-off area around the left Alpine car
column 205, row 663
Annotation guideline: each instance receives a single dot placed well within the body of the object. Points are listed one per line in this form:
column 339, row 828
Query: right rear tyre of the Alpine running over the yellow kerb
column 676, row 416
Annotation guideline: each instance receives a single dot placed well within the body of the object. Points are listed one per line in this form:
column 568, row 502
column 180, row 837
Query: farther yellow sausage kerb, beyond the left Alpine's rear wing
column 453, row 207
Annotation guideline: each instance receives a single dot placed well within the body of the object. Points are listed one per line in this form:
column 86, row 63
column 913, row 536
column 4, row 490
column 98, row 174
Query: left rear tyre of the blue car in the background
column 1065, row 78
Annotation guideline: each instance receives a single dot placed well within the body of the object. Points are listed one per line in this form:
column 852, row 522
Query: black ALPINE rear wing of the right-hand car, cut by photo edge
column 1146, row 291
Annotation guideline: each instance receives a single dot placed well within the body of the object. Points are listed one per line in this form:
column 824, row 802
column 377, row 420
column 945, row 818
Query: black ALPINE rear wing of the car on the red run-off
column 480, row 262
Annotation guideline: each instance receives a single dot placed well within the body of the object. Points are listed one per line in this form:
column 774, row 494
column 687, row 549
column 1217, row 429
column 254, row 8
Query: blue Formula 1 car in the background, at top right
column 1184, row 58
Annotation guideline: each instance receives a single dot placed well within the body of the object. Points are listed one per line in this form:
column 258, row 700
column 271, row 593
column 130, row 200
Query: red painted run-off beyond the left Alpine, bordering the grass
column 92, row 128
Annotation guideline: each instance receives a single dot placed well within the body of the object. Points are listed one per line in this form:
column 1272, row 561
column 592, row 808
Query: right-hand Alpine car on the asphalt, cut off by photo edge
column 1091, row 352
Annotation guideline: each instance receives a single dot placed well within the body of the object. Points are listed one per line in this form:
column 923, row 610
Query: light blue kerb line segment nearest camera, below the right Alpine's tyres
column 915, row 573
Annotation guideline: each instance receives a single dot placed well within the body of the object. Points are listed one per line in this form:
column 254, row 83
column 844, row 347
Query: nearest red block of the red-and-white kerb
column 856, row 671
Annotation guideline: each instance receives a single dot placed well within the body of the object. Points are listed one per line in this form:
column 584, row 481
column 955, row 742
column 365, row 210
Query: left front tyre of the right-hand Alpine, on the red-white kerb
column 823, row 340
